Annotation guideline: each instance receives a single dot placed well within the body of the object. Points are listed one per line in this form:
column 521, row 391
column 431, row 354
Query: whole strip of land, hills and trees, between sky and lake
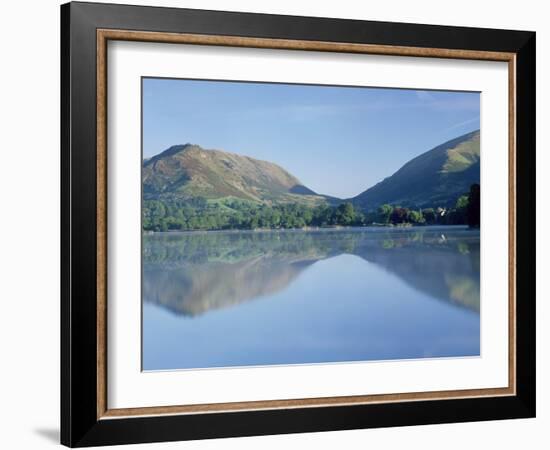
column 187, row 187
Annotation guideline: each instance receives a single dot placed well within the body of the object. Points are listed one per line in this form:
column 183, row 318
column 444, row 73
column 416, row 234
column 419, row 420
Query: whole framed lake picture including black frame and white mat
column 277, row 224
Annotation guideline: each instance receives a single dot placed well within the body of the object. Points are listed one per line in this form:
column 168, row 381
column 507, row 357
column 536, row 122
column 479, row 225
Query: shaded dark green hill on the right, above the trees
column 435, row 178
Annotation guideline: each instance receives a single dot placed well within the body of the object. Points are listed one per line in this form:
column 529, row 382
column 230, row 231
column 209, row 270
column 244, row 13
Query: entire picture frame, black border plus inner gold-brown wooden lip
column 86, row 418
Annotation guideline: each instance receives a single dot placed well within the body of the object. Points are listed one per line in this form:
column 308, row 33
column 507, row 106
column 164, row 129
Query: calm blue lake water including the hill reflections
column 222, row 299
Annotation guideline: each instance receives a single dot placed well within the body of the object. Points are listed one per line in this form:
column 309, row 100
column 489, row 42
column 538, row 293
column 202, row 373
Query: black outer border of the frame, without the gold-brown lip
column 79, row 423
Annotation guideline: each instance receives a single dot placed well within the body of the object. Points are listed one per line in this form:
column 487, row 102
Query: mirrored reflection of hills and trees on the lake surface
column 193, row 273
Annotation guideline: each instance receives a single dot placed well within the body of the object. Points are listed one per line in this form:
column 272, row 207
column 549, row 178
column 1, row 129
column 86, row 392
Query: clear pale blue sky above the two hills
column 337, row 140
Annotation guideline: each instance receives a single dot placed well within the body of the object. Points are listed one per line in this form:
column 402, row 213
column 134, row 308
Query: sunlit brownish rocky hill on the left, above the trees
column 189, row 171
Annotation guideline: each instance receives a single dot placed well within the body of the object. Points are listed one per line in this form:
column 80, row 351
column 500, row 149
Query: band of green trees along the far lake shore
column 200, row 214
